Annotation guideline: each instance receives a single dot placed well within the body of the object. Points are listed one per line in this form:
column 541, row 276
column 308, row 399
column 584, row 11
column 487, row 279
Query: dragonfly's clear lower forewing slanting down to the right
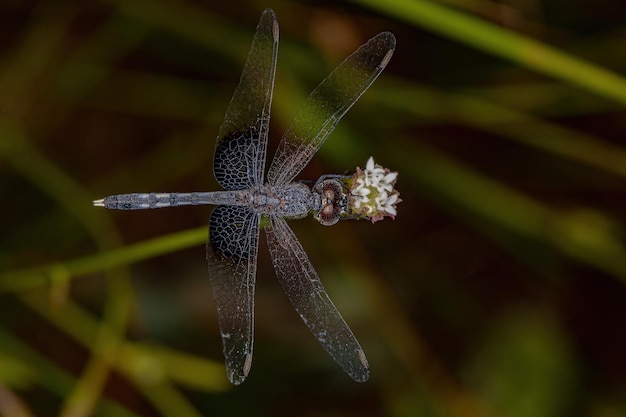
column 306, row 293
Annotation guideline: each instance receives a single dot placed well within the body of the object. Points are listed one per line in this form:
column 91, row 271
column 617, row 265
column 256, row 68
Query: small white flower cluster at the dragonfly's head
column 372, row 192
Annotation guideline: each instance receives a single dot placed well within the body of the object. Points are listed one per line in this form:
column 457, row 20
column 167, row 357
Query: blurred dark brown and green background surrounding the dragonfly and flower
column 497, row 291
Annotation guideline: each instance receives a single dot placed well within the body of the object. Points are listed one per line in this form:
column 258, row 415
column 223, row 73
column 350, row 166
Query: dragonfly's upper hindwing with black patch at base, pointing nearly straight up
column 241, row 146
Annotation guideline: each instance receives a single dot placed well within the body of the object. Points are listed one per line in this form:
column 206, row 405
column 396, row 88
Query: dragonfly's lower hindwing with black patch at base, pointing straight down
column 232, row 256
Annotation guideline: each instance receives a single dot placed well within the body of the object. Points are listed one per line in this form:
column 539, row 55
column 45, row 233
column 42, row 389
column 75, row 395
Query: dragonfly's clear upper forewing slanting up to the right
column 326, row 105
